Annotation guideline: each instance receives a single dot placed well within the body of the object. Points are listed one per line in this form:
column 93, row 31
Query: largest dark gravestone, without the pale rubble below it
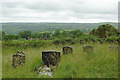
column 50, row 58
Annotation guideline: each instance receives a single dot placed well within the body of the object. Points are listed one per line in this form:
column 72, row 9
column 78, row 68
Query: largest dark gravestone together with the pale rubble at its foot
column 51, row 60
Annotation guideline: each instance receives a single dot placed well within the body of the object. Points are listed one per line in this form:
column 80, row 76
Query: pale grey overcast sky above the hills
column 83, row 11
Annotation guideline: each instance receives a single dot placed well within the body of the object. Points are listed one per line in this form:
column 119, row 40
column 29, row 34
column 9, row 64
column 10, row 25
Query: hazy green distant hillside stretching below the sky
column 14, row 28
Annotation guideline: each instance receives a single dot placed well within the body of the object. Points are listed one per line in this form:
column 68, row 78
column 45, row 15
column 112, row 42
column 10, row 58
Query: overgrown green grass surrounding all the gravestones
column 100, row 64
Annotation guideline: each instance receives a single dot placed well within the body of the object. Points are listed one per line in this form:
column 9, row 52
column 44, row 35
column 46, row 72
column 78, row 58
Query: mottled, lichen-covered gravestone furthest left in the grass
column 18, row 59
